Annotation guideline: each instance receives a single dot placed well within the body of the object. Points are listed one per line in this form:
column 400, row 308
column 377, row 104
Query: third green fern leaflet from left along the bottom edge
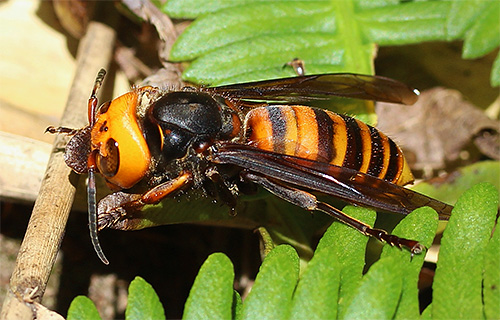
column 212, row 296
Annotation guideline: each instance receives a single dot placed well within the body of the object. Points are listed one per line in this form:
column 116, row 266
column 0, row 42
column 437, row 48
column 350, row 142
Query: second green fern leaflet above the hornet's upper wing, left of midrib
column 273, row 19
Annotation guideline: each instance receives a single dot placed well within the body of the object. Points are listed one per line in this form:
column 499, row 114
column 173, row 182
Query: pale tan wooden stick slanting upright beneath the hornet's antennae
column 47, row 223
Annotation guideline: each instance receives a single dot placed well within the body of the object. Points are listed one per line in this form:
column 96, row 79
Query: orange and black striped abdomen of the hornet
column 325, row 136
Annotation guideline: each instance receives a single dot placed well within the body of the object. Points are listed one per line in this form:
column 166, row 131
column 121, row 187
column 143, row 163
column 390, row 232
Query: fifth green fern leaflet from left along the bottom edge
column 318, row 288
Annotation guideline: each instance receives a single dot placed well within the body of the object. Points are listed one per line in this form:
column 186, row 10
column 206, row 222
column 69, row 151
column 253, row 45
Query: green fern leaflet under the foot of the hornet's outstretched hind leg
column 397, row 272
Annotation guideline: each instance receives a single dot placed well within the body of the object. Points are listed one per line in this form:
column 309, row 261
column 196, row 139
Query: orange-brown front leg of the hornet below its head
column 115, row 209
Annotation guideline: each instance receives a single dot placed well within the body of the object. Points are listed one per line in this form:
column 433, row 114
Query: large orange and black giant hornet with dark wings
column 153, row 144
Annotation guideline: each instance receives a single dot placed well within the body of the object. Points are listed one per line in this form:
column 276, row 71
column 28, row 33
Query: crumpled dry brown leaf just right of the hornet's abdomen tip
column 438, row 127
